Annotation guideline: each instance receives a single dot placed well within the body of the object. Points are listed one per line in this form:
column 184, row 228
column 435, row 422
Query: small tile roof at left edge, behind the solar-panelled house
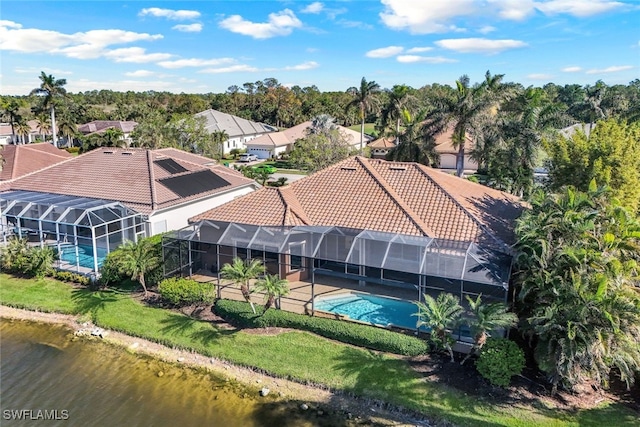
column 20, row 160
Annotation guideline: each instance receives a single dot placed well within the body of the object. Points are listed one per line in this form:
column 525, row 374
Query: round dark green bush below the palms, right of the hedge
column 500, row 359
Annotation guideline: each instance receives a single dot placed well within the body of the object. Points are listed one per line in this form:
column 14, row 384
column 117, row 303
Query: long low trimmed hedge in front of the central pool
column 240, row 314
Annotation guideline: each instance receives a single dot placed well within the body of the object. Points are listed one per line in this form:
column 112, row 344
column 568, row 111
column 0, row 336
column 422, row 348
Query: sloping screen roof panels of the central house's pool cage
column 455, row 260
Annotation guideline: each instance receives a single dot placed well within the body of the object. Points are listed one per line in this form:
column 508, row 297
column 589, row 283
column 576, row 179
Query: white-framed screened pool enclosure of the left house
column 81, row 230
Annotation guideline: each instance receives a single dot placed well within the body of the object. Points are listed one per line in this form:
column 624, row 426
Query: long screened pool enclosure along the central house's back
column 308, row 253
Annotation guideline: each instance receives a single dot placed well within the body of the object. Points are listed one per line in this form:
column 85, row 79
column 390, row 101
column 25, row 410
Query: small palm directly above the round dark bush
column 486, row 318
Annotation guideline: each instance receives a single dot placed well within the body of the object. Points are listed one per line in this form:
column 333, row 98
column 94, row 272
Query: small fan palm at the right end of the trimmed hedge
column 440, row 316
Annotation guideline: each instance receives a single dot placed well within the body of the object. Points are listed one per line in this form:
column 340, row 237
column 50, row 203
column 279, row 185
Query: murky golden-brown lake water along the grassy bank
column 45, row 368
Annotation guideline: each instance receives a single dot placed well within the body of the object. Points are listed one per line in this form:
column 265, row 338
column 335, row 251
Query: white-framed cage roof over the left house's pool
column 62, row 209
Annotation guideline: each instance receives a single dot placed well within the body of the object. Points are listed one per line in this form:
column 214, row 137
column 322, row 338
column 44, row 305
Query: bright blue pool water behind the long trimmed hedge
column 371, row 309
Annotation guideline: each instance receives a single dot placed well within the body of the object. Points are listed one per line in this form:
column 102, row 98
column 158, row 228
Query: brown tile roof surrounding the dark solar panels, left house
column 128, row 175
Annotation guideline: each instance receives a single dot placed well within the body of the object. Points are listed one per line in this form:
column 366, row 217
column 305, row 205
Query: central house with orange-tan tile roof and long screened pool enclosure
column 371, row 225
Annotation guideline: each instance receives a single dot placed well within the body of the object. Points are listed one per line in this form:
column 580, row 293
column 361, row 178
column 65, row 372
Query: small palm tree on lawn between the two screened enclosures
column 137, row 259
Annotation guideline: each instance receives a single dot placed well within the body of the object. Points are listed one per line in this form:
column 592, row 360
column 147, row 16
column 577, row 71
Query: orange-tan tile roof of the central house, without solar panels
column 396, row 197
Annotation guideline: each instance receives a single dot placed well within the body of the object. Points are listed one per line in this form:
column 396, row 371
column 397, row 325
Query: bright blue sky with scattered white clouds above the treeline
column 207, row 46
